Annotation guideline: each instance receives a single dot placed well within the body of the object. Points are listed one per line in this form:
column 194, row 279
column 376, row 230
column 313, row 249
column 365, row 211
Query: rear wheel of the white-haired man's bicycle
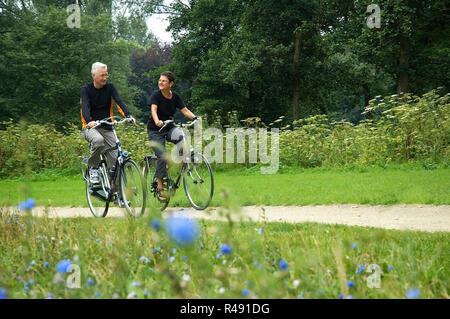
column 98, row 200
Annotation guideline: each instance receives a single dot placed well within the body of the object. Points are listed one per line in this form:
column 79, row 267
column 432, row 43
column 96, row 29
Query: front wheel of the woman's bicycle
column 198, row 181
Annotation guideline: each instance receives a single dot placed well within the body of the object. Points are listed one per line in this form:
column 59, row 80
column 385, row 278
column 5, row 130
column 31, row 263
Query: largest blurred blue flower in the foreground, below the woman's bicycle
column 183, row 231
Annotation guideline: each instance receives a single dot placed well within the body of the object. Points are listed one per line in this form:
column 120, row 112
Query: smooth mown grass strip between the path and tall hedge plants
column 373, row 185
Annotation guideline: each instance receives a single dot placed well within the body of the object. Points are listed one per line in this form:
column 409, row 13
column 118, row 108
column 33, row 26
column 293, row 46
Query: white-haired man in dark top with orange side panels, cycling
column 96, row 104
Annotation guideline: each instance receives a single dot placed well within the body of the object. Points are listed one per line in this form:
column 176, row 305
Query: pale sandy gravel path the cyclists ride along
column 427, row 218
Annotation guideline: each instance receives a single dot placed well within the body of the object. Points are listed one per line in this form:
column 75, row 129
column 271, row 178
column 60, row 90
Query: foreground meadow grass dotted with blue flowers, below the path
column 320, row 260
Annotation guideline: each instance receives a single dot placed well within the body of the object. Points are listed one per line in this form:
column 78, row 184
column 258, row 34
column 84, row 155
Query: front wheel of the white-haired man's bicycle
column 132, row 189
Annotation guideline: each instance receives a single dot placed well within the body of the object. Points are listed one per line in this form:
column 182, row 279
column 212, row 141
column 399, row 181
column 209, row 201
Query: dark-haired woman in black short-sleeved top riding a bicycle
column 163, row 105
